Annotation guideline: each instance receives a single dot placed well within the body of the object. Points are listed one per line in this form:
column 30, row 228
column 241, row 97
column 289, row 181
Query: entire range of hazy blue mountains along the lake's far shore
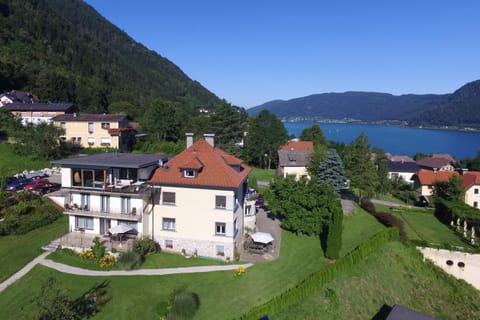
column 459, row 109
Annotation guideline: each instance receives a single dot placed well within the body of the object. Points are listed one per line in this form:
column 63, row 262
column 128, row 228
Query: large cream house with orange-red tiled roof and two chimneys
column 202, row 204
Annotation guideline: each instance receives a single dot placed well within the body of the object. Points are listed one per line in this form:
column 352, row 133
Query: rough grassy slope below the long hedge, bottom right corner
column 395, row 275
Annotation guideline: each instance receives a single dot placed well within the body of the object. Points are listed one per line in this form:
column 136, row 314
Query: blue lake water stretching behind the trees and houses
column 399, row 140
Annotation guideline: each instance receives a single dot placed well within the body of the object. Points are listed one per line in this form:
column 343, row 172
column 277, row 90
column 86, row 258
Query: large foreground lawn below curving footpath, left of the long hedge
column 222, row 294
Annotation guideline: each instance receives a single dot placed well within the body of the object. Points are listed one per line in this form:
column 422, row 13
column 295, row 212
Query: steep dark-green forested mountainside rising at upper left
column 64, row 51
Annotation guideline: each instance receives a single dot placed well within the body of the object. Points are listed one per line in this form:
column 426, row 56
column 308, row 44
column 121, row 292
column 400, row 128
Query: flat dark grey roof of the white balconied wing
column 112, row 160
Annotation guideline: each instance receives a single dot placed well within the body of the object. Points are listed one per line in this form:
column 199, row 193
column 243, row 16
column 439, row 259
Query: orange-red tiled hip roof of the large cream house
column 216, row 168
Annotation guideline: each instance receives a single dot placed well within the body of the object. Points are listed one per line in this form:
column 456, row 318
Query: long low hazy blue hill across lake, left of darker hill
column 365, row 106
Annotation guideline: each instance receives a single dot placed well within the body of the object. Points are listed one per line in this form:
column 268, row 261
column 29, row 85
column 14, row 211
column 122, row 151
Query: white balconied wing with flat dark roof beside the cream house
column 108, row 189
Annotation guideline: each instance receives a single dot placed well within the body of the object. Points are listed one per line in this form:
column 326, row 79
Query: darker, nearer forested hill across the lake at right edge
column 461, row 110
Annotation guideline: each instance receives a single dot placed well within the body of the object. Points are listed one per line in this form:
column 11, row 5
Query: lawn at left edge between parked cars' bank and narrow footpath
column 17, row 250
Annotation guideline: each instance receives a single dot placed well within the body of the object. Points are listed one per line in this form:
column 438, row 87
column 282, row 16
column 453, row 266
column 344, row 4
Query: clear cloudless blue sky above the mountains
column 250, row 52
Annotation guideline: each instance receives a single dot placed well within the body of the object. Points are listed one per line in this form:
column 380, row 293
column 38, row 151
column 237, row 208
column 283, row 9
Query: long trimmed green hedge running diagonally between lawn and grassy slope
column 320, row 278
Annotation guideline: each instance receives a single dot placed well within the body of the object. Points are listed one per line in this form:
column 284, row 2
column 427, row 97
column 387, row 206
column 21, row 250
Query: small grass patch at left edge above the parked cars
column 12, row 163
